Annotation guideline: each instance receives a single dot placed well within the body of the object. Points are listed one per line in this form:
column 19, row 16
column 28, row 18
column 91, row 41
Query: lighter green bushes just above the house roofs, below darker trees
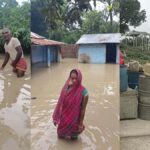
column 92, row 23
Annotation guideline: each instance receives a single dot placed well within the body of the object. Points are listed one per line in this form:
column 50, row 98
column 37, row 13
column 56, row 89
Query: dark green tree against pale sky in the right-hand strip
column 130, row 14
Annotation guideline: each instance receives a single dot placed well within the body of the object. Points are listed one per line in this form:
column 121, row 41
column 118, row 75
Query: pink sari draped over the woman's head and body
column 67, row 111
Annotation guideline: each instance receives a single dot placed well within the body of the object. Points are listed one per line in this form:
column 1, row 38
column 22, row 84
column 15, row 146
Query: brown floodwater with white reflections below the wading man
column 15, row 98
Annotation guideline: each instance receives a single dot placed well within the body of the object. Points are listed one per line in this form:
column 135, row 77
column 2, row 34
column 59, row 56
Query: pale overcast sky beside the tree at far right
column 145, row 4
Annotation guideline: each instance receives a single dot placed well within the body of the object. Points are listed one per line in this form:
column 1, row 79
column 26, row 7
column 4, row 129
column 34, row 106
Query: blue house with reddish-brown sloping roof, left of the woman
column 44, row 50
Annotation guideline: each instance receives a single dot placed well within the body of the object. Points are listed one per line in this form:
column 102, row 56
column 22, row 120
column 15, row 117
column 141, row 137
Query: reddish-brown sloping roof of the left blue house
column 40, row 40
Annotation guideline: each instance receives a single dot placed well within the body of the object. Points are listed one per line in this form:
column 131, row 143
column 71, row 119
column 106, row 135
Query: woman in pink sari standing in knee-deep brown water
column 70, row 110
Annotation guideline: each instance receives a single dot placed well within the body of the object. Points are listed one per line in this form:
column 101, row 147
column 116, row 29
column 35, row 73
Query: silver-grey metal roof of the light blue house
column 99, row 38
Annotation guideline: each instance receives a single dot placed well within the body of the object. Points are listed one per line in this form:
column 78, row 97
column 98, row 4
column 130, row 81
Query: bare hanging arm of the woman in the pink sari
column 83, row 108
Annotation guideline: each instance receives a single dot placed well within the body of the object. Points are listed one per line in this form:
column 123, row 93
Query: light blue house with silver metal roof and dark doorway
column 99, row 48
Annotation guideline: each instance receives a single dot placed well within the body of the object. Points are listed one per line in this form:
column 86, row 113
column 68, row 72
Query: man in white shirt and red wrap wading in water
column 13, row 50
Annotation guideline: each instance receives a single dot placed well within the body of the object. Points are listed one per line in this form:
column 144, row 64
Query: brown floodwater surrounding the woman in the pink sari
column 102, row 113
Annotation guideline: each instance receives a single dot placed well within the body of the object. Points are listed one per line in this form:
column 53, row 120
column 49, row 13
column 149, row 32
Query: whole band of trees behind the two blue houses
column 67, row 20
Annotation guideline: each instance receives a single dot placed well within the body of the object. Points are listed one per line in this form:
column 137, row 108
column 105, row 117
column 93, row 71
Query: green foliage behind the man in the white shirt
column 17, row 18
